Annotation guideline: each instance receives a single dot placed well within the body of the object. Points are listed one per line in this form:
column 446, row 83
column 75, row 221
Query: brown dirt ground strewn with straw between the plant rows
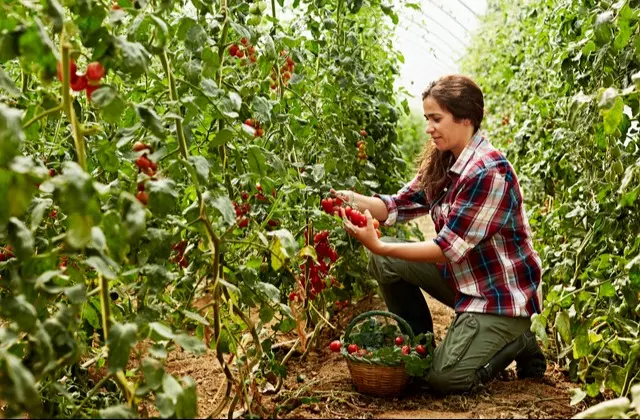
column 321, row 387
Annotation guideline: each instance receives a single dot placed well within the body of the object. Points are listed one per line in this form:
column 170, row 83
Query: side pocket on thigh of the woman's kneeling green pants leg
column 457, row 342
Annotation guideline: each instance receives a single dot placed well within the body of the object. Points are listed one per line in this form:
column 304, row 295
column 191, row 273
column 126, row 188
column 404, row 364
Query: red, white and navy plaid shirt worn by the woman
column 482, row 230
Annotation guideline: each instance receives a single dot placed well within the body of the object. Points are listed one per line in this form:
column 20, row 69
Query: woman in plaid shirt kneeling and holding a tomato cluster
column 482, row 262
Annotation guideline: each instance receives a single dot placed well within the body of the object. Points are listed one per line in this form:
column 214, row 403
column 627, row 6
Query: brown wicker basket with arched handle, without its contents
column 372, row 377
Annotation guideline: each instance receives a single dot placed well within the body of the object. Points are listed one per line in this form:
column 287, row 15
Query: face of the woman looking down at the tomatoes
column 445, row 131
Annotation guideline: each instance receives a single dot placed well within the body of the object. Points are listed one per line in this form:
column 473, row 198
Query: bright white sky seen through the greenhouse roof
column 432, row 41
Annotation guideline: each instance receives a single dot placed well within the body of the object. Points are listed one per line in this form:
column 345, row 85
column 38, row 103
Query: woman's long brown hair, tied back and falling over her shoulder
column 462, row 97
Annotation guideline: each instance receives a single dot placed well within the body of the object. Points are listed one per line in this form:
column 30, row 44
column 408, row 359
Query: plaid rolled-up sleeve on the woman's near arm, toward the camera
column 481, row 208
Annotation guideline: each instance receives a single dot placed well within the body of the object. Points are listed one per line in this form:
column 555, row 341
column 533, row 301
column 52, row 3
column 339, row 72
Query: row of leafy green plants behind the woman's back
column 562, row 87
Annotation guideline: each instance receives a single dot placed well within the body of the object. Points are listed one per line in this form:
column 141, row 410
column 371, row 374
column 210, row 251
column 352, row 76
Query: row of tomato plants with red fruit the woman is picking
column 158, row 153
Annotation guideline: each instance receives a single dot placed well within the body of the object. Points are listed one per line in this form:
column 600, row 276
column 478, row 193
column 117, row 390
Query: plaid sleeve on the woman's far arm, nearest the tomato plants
column 408, row 203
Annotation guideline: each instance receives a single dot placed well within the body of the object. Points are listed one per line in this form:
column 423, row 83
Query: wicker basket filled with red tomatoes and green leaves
column 382, row 356
